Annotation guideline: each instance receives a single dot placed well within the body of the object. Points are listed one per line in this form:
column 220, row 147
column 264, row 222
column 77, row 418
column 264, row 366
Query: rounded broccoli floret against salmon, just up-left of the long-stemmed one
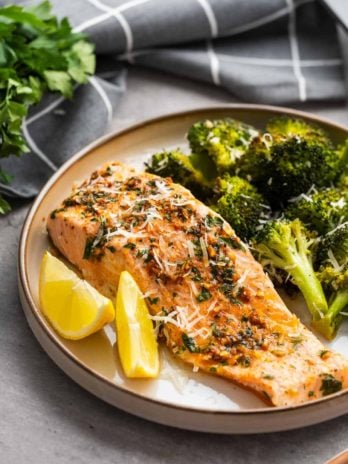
column 241, row 205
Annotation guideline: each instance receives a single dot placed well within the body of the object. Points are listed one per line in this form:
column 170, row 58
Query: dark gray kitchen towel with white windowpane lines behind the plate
column 274, row 51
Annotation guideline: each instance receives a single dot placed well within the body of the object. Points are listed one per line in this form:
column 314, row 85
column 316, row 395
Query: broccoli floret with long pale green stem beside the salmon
column 286, row 245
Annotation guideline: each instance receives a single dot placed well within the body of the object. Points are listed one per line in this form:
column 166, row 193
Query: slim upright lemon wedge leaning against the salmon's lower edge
column 137, row 344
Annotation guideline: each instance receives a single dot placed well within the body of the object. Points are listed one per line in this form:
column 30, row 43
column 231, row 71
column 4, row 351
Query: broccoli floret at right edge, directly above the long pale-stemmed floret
column 321, row 211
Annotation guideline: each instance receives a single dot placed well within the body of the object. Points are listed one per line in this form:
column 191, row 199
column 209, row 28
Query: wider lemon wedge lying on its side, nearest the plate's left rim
column 72, row 306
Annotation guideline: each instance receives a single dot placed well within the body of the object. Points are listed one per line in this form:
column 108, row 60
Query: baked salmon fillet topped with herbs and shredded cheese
column 211, row 301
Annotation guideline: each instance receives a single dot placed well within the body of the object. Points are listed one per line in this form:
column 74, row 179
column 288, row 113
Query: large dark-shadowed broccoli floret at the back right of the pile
column 289, row 159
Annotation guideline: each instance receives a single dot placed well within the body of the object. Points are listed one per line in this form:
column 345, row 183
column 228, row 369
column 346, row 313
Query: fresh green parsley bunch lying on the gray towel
column 37, row 53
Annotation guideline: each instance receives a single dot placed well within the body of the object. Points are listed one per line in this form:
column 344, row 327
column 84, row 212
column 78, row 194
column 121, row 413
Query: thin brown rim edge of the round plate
column 22, row 252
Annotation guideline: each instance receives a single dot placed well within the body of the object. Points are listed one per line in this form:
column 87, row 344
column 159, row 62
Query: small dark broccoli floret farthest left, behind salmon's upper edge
column 178, row 166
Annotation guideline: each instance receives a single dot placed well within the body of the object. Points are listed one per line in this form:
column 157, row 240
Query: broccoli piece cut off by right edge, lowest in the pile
column 332, row 258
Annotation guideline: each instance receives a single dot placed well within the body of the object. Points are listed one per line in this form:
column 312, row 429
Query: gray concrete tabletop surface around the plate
column 46, row 418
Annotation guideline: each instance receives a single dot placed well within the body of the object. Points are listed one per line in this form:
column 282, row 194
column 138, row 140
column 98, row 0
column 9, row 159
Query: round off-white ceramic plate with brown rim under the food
column 179, row 397
